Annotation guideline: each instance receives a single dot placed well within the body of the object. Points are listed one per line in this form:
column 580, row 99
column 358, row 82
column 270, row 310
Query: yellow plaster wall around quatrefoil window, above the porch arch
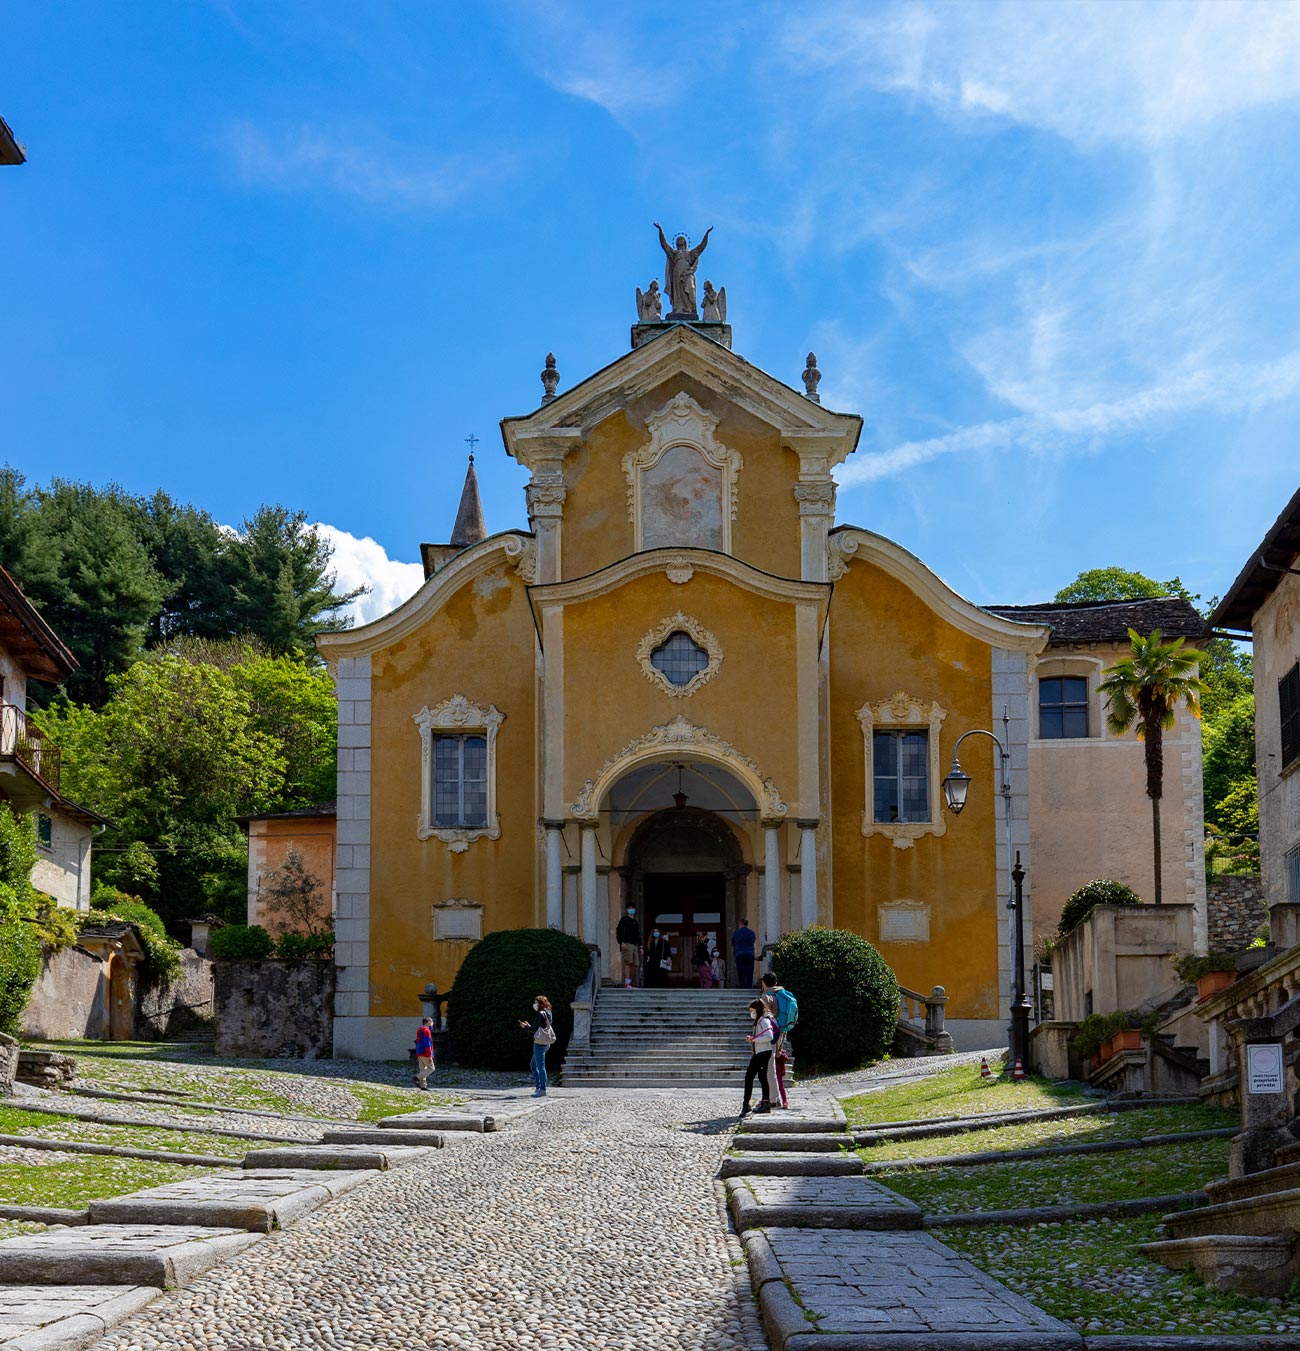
column 749, row 703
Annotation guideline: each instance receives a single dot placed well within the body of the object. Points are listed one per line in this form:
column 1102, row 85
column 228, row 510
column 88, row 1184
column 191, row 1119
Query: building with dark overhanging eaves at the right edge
column 1266, row 603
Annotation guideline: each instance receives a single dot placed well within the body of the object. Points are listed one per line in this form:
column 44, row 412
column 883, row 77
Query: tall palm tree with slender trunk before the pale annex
column 1145, row 688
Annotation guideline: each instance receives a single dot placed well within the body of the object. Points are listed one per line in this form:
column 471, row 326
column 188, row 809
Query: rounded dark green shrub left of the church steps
column 497, row 986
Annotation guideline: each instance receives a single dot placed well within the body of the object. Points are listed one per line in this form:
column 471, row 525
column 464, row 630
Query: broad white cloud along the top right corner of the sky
column 1089, row 71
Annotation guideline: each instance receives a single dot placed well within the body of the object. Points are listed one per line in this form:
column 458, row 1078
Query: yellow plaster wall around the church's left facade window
column 482, row 645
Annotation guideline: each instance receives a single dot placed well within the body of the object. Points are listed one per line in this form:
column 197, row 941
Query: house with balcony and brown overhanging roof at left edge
column 30, row 769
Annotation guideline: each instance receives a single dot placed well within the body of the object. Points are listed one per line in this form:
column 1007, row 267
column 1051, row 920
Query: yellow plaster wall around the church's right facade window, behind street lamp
column 884, row 640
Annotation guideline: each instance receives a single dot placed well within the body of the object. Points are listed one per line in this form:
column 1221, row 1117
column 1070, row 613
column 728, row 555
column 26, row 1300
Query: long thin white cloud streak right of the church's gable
column 1228, row 390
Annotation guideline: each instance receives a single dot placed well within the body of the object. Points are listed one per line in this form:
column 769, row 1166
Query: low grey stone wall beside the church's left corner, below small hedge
column 268, row 1010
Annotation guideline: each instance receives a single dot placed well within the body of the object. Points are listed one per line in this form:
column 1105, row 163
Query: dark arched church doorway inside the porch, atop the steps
column 686, row 872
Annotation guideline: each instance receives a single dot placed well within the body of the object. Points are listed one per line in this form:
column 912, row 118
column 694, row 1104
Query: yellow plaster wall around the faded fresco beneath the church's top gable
column 597, row 526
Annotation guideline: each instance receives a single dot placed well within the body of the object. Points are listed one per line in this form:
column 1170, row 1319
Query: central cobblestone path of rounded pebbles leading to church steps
column 593, row 1226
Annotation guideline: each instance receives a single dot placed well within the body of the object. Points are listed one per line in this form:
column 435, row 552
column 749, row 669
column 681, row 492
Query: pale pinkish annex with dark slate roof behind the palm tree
column 1089, row 806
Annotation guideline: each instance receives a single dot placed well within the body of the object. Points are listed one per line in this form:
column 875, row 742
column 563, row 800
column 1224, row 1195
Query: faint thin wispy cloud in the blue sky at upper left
column 371, row 170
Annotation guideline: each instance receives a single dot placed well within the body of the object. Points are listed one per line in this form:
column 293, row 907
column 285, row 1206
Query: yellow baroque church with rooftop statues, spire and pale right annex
column 687, row 687
